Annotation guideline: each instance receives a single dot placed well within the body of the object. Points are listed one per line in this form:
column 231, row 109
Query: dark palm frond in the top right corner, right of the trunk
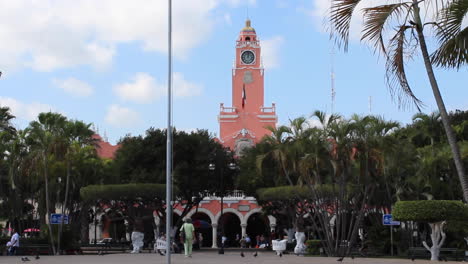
column 453, row 50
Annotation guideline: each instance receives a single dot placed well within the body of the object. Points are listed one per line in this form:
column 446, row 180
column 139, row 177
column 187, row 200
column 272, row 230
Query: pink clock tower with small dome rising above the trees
column 245, row 123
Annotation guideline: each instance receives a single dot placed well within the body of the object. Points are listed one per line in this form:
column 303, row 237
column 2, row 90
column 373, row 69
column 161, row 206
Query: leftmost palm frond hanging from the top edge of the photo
column 340, row 17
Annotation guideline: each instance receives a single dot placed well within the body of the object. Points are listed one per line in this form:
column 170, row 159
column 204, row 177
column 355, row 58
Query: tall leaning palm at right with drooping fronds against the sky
column 407, row 17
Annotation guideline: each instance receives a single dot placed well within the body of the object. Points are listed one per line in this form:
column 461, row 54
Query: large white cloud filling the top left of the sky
column 47, row 35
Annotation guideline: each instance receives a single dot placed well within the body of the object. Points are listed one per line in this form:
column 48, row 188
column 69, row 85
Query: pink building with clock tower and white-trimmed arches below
column 241, row 126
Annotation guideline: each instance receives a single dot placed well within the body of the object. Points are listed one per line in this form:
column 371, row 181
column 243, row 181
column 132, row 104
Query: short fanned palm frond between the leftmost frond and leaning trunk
column 375, row 19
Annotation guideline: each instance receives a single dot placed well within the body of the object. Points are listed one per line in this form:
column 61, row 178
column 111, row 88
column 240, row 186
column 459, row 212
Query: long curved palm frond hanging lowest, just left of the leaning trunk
column 395, row 71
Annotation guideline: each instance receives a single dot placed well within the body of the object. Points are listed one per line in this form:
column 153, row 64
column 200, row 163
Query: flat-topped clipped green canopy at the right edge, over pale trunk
column 430, row 211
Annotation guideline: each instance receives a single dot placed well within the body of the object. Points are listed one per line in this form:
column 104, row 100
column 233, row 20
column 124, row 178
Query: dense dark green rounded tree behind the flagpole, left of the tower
column 142, row 160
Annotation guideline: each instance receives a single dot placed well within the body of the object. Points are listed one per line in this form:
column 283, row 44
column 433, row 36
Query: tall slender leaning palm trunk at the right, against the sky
column 440, row 104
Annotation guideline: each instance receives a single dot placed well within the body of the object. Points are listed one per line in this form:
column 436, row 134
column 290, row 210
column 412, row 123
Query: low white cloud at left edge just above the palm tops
column 25, row 111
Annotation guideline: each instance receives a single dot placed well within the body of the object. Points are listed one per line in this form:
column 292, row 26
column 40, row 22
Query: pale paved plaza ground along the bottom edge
column 200, row 258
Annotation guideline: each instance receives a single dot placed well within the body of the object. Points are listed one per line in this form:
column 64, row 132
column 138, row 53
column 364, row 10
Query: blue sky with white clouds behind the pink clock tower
column 105, row 62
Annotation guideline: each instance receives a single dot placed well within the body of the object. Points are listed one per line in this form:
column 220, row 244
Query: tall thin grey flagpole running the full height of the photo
column 169, row 141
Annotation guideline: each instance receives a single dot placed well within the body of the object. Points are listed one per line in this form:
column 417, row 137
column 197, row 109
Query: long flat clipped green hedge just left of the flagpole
column 123, row 191
